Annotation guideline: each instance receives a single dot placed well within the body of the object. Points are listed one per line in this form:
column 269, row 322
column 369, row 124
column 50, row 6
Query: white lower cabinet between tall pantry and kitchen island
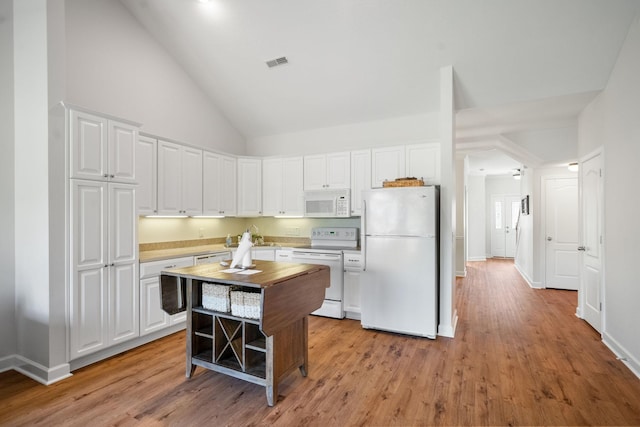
column 152, row 317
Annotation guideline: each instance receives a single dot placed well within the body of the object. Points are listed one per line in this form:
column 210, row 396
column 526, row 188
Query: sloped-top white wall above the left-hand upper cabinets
column 114, row 66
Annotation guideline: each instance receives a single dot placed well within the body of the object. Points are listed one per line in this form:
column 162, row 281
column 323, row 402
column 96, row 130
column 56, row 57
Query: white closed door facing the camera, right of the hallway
column 561, row 233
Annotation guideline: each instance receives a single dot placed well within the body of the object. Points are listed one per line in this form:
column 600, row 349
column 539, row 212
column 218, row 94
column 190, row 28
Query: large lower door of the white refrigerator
column 399, row 287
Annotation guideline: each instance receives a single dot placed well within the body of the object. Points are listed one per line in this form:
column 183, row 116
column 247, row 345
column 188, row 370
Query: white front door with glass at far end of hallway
column 504, row 217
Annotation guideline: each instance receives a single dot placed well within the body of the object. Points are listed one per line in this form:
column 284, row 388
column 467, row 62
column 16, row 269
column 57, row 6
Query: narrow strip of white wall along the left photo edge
column 7, row 214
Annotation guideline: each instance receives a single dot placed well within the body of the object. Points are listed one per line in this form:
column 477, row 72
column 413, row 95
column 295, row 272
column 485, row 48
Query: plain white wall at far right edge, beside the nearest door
column 621, row 141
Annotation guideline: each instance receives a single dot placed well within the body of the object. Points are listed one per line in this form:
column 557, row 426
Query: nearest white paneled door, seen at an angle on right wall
column 591, row 259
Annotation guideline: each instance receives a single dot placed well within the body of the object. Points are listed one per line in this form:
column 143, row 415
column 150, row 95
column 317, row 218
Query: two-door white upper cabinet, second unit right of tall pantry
column 179, row 179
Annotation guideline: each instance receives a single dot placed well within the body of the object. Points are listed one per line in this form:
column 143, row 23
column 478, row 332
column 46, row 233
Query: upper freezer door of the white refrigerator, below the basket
column 409, row 211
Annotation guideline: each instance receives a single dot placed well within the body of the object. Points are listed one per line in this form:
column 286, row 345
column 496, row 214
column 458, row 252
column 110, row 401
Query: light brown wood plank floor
column 520, row 357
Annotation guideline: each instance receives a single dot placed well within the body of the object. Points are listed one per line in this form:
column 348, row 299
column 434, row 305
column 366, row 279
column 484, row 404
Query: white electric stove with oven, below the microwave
column 327, row 245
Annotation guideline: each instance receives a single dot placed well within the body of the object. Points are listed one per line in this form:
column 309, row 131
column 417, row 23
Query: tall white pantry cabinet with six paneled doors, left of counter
column 103, row 292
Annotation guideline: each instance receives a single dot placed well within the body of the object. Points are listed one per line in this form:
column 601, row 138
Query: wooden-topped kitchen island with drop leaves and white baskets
column 265, row 344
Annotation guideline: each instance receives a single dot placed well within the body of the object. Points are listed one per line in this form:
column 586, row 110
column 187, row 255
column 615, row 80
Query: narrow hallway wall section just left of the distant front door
column 476, row 218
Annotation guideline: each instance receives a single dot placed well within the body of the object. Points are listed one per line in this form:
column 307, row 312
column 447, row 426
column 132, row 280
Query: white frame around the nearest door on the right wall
column 581, row 295
